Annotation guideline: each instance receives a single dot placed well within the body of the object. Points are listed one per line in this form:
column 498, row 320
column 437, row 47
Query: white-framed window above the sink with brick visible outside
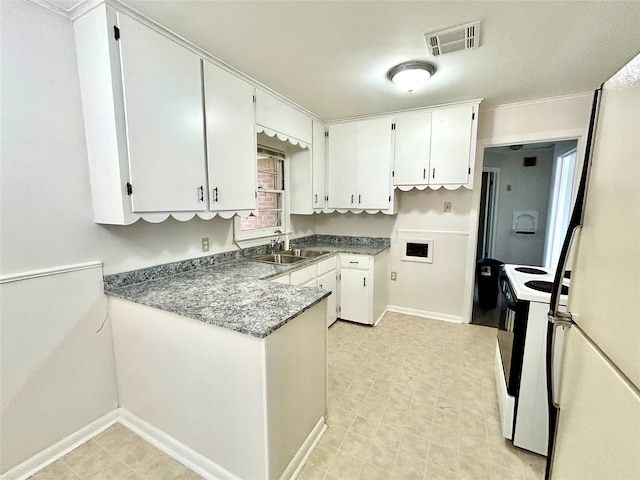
column 269, row 219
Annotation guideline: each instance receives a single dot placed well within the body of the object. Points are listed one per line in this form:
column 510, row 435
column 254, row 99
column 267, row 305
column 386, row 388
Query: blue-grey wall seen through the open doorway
column 521, row 188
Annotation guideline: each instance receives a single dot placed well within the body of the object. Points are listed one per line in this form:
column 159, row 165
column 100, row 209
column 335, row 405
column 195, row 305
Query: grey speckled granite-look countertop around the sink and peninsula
column 236, row 293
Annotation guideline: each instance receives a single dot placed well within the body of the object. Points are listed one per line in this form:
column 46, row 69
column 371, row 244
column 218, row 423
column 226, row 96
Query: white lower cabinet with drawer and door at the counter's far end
column 363, row 292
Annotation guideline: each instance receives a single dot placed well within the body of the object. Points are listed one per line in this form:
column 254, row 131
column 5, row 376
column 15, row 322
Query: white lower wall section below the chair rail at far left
column 56, row 362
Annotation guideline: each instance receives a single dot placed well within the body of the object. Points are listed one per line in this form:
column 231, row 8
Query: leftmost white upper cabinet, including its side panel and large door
column 144, row 121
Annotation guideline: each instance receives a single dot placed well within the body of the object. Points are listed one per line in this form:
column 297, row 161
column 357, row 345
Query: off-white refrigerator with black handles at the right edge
column 594, row 389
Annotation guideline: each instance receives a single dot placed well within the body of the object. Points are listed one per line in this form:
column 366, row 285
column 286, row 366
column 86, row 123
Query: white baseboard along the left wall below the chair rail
column 61, row 448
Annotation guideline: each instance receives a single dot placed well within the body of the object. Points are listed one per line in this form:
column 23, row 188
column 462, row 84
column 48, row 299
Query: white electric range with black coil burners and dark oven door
column 521, row 354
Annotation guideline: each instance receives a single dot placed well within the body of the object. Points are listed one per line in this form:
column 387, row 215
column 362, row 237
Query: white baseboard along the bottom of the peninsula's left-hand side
column 174, row 448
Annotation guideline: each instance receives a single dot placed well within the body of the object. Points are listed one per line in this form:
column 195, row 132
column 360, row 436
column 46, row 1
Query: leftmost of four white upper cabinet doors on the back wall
column 342, row 165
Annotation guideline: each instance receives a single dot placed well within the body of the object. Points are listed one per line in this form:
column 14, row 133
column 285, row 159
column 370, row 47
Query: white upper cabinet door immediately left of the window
column 231, row 140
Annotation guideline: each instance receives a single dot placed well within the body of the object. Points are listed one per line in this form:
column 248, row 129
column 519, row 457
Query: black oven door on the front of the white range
column 512, row 330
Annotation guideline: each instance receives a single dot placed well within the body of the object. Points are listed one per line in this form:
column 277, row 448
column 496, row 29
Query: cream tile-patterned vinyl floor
column 409, row 399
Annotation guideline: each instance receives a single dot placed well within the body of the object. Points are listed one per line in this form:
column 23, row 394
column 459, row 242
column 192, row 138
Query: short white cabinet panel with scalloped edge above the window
column 277, row 117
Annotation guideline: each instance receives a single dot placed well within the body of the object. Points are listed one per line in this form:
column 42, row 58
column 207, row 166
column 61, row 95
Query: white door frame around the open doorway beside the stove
column 555, row 136
